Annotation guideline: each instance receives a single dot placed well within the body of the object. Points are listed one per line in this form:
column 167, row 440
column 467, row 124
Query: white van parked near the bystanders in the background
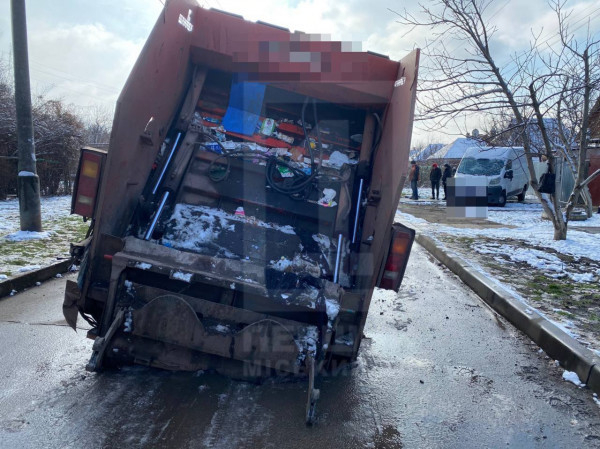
column 504, row 168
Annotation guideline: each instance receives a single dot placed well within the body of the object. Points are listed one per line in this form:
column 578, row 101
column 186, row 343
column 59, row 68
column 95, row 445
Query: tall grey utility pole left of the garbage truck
column 28, row 180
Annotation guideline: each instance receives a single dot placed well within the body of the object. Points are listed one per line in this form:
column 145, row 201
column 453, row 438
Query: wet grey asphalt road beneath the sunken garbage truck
column 437, row 369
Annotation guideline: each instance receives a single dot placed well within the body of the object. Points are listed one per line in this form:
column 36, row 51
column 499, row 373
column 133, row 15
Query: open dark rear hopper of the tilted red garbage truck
column 250, row 219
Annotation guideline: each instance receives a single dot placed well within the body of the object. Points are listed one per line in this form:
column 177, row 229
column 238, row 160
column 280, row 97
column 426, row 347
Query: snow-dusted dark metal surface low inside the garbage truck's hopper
column 295, row 262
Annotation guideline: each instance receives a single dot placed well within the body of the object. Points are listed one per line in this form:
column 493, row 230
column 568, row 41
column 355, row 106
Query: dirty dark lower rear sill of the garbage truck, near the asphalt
column 244, row 322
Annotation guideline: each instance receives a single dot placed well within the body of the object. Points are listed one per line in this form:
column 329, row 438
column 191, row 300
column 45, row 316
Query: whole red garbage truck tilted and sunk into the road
column 244, row 212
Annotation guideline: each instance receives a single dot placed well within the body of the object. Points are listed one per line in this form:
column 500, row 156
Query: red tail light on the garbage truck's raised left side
column 87, row 181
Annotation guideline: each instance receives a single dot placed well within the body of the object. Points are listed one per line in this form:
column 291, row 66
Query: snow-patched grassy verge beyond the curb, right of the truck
column 525, row 238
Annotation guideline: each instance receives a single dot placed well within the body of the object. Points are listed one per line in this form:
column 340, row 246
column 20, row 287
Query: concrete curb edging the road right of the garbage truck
column 571, row 354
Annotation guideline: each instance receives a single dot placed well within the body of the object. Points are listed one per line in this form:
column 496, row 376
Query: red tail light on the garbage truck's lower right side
column 395, row 265
